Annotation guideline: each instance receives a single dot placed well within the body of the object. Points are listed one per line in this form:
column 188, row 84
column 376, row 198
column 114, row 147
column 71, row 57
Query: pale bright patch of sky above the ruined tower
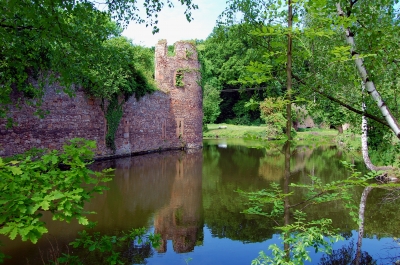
column 174, row 26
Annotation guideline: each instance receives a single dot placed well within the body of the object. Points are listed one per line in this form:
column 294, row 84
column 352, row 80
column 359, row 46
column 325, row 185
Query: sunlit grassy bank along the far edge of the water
column 313, row 136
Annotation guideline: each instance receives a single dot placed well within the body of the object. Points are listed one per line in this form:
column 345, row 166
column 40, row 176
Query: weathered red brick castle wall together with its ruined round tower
column 167, row 119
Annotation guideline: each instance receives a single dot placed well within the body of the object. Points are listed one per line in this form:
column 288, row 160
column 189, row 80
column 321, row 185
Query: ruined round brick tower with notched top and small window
column 179, row 75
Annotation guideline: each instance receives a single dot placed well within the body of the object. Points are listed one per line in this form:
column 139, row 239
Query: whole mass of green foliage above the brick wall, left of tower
column 72, row 43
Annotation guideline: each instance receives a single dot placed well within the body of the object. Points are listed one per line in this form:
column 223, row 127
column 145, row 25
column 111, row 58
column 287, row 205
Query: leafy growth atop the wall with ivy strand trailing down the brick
column 123, row 70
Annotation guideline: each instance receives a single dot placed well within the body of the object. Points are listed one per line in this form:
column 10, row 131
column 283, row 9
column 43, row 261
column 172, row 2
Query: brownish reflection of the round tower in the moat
column 181, row 220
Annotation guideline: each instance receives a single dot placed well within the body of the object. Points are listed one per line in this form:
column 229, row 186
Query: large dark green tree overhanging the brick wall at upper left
column 57, row 41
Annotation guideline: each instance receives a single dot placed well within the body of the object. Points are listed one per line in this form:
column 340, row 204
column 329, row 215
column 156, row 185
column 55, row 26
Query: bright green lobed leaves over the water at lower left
column 57, row 182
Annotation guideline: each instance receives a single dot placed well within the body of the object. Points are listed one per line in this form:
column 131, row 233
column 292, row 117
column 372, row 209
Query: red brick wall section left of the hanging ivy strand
column 69, row 117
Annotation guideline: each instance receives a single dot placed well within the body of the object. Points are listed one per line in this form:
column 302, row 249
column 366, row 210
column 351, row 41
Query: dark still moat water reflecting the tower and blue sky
column 190, row 199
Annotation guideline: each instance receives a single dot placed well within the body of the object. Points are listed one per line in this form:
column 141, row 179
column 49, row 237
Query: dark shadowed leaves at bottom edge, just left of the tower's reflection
column 111, row 250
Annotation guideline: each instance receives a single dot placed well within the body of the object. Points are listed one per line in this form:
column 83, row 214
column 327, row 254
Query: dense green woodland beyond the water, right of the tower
column 245, row 67
